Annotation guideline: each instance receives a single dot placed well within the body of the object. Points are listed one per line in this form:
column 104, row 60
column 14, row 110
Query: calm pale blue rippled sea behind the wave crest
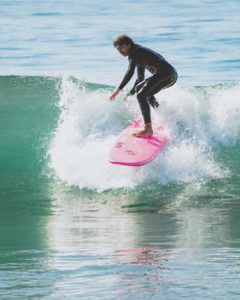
column 201, row 39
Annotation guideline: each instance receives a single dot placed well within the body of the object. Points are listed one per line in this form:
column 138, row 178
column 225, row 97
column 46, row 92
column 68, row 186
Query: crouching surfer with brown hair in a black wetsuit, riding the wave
column 163, row 76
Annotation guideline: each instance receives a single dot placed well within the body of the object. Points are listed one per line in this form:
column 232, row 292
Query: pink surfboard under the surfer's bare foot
column 137, row 151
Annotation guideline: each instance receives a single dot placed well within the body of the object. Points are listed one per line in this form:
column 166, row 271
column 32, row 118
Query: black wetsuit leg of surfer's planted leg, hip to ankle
column 146, row 90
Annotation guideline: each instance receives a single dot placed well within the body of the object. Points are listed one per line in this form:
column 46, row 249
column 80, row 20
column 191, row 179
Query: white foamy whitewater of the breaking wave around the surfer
column 202, row 123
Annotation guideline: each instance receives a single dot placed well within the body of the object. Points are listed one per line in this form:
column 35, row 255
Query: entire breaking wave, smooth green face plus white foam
column 64, row 128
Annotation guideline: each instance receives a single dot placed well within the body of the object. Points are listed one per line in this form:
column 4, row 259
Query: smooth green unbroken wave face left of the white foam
column 29, row 113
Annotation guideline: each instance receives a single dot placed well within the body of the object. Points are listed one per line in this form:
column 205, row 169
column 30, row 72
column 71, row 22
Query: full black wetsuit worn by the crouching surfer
column 164, row 75
